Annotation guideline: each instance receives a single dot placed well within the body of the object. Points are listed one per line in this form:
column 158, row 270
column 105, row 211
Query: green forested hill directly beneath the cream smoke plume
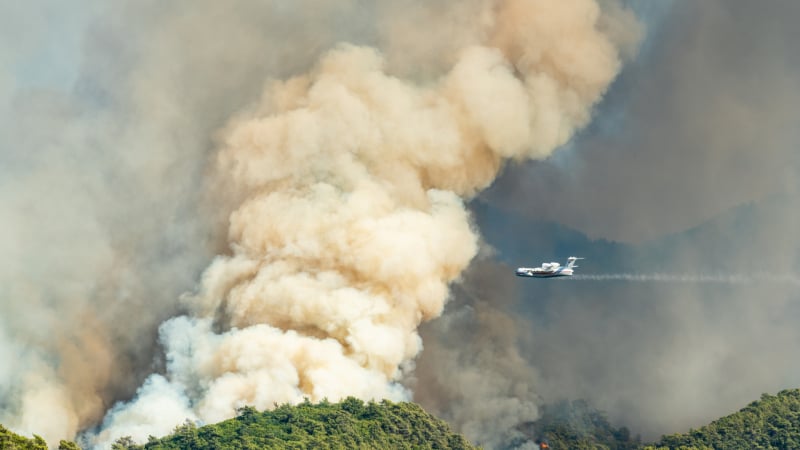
column 351, row 424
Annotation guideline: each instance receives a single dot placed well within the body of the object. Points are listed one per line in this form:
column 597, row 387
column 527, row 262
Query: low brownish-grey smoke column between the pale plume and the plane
column 472, row 372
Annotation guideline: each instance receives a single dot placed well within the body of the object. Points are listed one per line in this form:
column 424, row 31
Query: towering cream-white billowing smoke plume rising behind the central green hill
column 351, row 223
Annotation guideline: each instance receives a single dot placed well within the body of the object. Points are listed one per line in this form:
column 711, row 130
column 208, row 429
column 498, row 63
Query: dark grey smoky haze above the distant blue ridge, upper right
column 701, row 123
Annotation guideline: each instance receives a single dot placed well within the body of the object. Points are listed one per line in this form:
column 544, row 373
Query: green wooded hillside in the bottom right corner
column 770, row 423
